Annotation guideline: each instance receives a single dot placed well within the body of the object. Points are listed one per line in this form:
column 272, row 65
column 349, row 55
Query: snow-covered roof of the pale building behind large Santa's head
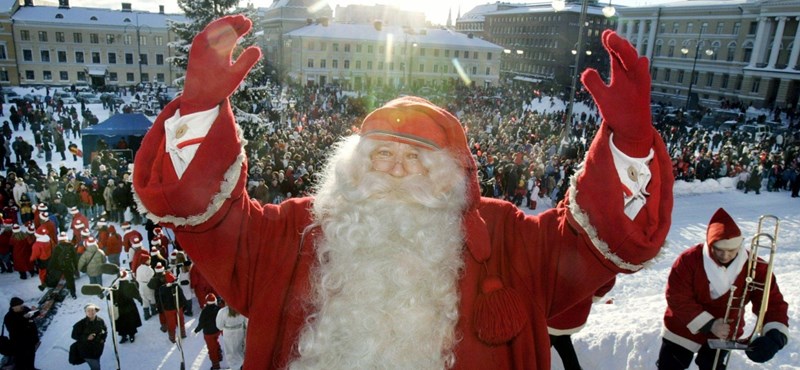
column 366, row 32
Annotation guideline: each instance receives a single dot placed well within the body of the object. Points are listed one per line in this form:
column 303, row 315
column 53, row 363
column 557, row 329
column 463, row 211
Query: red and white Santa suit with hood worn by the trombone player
column 698, row 289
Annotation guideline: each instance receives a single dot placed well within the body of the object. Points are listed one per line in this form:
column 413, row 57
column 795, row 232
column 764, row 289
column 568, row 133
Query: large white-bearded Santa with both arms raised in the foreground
column 397, row 259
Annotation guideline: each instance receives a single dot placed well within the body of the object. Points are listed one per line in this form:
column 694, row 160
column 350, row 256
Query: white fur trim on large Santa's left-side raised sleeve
column 229, row 180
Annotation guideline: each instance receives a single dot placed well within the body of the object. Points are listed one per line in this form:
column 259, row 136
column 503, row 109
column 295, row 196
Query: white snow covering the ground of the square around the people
column 624, row 334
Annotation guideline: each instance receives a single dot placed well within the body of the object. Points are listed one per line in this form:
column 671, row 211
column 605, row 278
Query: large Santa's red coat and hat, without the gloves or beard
column 260, row 258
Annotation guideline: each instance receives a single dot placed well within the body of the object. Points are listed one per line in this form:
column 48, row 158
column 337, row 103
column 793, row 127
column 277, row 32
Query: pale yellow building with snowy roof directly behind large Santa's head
column 363, row 56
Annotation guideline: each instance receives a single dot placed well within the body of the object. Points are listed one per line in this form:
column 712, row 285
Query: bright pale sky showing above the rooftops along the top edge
column 435, row 11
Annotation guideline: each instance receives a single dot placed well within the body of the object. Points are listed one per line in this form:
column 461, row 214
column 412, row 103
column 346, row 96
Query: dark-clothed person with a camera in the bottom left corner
column 22, row 333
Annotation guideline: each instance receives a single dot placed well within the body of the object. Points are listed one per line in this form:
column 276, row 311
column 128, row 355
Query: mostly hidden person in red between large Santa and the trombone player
column 562, row 326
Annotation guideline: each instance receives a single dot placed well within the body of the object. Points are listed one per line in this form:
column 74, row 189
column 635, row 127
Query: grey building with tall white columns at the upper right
column 712, row 52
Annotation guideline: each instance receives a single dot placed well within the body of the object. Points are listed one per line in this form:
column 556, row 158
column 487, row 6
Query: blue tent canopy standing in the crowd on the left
column 127, row 127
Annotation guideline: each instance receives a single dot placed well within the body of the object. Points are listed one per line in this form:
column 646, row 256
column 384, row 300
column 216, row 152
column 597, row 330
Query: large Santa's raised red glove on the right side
column 624, row 104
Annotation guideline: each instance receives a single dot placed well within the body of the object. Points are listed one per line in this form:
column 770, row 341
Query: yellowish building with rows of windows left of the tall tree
column 66, row 45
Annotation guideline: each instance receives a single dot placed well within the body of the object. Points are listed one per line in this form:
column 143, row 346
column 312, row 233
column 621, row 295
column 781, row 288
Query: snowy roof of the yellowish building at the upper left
column 89, row 16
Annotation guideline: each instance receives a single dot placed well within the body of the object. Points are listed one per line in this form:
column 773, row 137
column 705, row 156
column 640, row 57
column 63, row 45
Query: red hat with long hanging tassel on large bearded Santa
column 499, row 312
